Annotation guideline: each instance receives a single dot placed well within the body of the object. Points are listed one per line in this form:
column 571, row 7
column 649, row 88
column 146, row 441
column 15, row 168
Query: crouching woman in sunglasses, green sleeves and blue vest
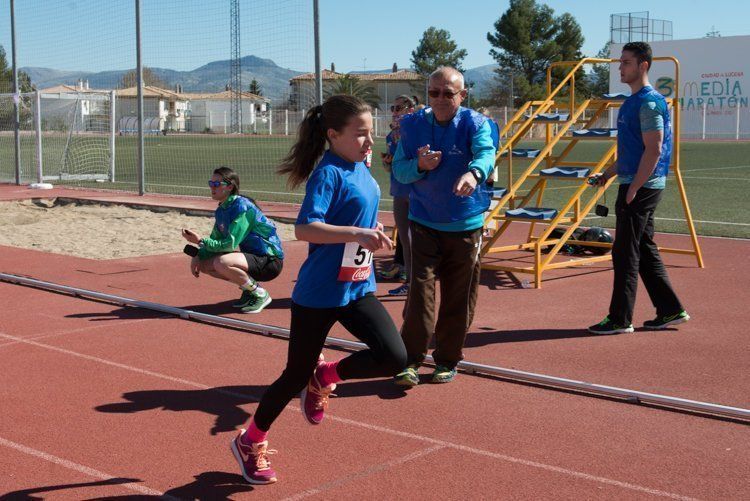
column 243, row 248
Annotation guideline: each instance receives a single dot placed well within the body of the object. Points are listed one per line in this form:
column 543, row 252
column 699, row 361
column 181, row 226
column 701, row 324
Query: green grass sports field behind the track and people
column 716, row 174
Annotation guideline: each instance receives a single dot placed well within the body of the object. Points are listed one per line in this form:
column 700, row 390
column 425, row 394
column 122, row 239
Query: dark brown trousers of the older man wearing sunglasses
column 454, row 257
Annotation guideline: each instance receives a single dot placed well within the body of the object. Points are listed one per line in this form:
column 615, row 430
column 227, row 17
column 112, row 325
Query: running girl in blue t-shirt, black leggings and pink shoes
column 338, row 218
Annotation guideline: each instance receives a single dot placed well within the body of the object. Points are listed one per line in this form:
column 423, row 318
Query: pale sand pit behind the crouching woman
column 98, row 231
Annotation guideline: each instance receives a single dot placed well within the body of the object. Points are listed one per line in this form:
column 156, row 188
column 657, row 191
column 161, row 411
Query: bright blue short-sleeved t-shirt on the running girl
column 340, row 193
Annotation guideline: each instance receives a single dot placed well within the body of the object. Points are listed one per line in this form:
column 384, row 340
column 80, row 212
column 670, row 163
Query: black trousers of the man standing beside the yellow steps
column 634, row 252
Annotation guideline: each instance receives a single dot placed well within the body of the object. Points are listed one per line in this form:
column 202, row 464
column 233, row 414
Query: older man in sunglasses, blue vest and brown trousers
column 445, row 154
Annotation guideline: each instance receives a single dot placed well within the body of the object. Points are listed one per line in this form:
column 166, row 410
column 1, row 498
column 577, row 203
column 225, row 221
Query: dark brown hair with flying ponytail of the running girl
column 334, row 113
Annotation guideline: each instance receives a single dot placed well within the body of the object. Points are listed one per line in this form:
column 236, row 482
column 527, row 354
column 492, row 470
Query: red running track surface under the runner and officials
column 94, row 396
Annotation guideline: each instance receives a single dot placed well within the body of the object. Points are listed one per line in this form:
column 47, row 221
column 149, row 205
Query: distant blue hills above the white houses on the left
column 211, row 77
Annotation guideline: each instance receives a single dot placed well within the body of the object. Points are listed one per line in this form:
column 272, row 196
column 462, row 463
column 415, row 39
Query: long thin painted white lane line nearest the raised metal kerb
column 381, row 429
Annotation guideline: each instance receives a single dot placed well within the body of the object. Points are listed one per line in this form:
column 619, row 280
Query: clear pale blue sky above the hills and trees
column 96, row 35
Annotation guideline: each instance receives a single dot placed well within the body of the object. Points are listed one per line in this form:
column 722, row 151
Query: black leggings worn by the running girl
column 366, row 319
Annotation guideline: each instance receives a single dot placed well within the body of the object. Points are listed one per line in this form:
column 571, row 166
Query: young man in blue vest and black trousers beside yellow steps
column 644, row 150
